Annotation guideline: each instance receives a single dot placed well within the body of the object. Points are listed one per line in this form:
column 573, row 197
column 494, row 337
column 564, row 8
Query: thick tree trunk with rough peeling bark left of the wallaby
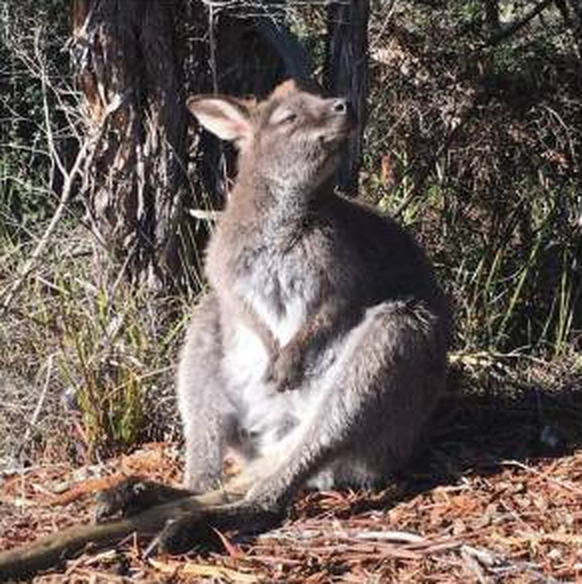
column 128, row 69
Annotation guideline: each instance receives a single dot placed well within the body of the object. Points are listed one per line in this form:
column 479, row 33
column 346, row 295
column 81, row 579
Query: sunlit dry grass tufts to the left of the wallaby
column 86, row 360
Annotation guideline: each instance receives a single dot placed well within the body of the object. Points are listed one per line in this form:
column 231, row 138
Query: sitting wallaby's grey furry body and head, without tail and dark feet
column 320, row 350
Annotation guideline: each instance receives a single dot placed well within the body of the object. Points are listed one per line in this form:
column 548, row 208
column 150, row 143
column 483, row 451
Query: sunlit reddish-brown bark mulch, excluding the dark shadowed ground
column 519, row 522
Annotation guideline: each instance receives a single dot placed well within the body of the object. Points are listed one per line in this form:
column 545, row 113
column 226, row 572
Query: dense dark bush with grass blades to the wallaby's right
column 482, row 138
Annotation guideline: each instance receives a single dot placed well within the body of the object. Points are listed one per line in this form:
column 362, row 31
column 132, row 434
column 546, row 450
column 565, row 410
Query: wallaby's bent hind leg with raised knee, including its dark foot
column 385, row 382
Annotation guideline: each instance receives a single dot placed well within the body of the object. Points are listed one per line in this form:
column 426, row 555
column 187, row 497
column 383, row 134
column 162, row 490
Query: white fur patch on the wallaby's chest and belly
column 275, row 286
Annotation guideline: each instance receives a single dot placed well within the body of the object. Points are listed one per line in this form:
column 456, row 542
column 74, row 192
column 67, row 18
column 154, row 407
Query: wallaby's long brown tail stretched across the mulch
column 49, row 551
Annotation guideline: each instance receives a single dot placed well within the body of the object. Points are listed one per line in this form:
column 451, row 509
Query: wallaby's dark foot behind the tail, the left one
column 133, row 495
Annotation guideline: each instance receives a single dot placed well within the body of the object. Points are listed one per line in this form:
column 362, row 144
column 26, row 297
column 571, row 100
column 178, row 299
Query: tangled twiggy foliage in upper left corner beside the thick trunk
column 27, row 171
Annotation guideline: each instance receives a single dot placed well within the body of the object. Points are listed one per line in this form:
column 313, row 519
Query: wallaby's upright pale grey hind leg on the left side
column 201, row 399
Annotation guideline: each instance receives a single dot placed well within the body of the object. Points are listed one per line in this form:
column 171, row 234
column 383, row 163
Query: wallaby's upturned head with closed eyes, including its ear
column 292, row 139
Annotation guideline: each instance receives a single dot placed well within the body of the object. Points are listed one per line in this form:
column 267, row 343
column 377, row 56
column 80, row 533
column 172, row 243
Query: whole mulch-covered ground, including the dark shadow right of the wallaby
column 496, row 497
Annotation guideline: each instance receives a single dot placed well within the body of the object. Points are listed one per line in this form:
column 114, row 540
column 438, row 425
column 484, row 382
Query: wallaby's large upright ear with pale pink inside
column 225, row 117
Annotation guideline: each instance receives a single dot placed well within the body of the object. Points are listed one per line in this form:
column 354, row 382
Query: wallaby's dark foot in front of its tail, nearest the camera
column 181, row 535
